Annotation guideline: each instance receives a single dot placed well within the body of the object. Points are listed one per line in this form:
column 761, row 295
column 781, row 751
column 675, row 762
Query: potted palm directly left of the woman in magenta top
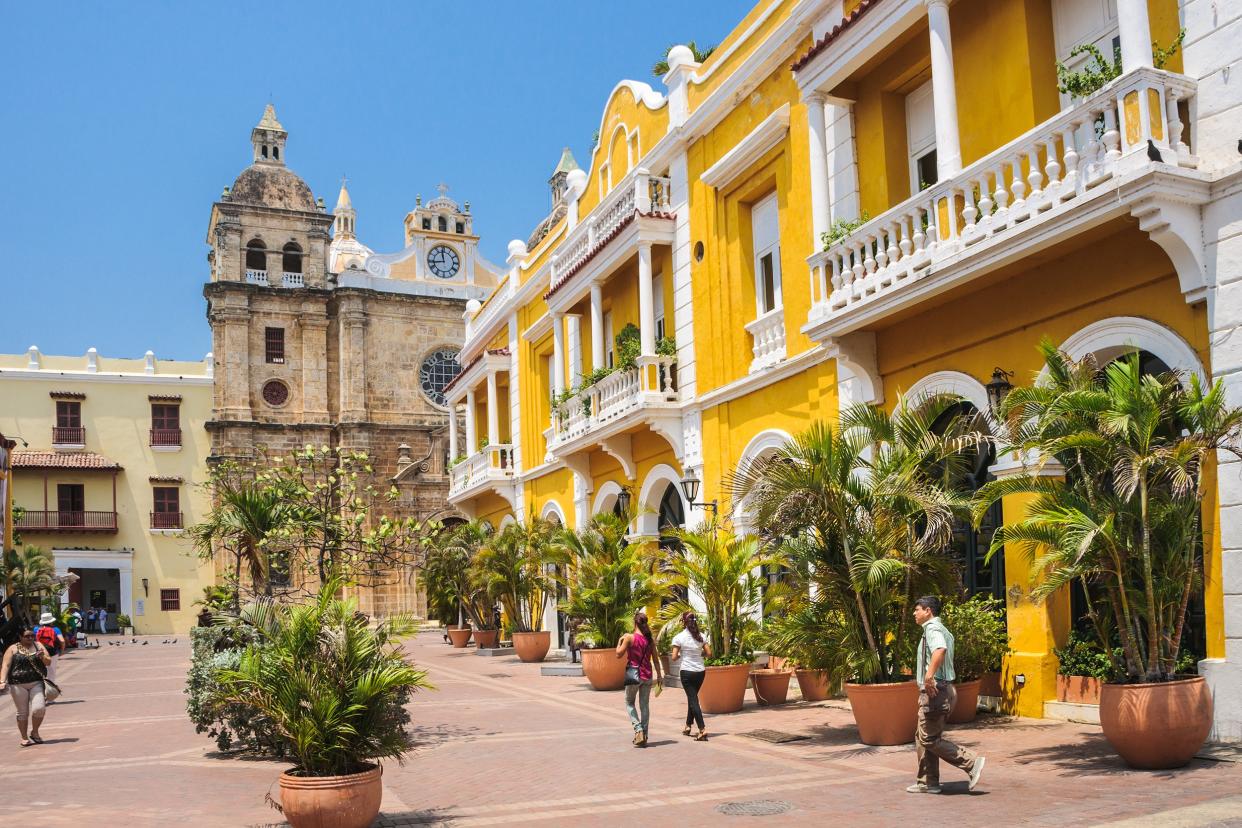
column 609, row 580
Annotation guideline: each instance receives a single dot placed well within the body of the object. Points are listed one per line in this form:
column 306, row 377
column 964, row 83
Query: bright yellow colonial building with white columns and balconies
column 851, row 203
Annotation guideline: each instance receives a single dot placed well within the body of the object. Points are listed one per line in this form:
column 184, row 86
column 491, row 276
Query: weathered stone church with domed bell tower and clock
column 320, row 341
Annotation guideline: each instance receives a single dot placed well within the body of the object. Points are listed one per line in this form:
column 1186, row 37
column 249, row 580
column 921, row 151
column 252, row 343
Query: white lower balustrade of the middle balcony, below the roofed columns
column 617, row 395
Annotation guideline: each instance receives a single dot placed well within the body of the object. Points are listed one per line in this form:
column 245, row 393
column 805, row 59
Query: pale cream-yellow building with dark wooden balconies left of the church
column 110, row 472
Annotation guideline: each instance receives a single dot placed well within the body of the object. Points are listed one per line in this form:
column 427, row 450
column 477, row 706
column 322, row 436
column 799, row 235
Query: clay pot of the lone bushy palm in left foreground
column 332, row 801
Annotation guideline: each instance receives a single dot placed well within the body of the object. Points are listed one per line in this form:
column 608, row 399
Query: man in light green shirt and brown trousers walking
column 937, row 697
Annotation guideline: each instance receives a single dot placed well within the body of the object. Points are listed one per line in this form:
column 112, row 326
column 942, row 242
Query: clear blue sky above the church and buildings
column 124, row 122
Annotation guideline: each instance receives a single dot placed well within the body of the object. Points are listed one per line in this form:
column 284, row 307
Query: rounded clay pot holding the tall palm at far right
column 1158, row 726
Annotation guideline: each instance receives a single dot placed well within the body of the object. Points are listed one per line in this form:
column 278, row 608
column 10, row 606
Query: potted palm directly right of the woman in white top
column 722, row 570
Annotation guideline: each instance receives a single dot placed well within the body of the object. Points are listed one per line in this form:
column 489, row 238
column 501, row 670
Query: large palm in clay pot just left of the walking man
column 865, row 511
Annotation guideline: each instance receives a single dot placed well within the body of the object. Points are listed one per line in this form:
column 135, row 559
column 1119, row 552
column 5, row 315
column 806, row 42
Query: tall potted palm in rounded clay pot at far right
column 1127, row 521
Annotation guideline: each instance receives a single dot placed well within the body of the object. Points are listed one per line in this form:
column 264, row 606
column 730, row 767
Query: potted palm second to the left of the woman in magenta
column 516, row 568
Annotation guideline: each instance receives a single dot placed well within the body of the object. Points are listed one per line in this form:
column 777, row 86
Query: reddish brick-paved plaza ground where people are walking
column 500, row 744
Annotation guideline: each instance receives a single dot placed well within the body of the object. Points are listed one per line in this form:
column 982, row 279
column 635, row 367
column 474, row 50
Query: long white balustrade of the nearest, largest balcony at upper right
column 1045, row 172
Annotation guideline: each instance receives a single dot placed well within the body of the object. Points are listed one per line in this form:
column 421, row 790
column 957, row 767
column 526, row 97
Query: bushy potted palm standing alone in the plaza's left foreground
column 335, row 690
